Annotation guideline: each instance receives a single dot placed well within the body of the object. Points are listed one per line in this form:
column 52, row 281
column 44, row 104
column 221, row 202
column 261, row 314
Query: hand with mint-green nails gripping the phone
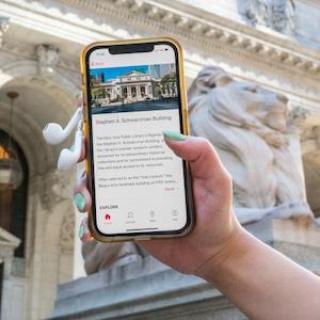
column 216, row 226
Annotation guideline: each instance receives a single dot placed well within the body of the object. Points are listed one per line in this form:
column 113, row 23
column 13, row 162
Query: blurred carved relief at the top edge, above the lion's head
column 278, row 15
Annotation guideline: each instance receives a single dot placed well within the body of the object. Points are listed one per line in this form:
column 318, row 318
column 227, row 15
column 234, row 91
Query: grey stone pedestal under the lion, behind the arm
column 147, row 289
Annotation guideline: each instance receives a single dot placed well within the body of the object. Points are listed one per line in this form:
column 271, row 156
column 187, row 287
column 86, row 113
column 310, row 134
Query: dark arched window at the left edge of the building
column 13, row 203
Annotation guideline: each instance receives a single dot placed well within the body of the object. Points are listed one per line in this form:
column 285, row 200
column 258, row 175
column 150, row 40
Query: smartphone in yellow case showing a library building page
column 134, row 90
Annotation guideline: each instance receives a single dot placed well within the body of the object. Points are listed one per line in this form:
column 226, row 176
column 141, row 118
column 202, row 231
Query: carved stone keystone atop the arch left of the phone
column 48, row 56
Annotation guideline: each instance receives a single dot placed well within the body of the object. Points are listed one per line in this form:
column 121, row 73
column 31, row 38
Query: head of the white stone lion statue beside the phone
column 240, row 103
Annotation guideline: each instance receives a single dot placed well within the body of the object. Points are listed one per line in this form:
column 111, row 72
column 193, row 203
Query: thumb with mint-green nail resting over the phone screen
column 203, row 158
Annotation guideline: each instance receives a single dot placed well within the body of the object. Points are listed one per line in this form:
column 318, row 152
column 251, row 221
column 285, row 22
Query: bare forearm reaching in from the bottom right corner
column 263, row 283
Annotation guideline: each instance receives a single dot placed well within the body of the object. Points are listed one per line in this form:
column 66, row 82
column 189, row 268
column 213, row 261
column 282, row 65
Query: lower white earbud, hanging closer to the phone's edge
column 68, row 158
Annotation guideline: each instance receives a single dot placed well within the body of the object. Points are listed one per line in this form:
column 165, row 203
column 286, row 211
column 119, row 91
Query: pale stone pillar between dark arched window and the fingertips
column 53, row 194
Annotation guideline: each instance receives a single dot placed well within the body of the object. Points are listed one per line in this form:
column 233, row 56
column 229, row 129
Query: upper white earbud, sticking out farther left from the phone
column 53, row 133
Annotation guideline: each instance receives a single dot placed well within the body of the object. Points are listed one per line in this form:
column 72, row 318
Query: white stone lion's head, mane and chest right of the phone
column 248, row 125
